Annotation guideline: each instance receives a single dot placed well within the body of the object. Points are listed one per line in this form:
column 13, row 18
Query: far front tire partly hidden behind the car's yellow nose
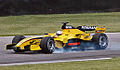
column 16, row 40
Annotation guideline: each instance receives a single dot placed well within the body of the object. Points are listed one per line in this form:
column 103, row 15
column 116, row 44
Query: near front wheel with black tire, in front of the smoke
column 48, row 45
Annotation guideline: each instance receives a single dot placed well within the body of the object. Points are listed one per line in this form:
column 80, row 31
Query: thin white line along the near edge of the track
column 55, row 61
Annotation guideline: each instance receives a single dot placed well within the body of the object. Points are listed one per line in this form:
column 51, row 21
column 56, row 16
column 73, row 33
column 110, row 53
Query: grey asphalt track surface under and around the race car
column 8, row 56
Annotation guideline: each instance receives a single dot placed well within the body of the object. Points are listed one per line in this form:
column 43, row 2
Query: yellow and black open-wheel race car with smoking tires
column 68, row 38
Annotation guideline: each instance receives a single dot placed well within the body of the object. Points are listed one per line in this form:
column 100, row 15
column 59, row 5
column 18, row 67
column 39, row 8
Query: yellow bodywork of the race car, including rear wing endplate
column 60, row 41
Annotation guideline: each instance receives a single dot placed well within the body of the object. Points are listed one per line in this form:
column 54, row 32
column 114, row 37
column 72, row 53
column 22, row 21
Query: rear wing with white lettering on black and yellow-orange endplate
column 92, row 28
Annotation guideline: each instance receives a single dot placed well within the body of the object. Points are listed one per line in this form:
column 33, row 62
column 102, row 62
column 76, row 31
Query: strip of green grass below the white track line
column 112, row 64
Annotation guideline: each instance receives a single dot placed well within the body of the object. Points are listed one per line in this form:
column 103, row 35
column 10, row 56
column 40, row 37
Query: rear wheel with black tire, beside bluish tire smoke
column 100, row 41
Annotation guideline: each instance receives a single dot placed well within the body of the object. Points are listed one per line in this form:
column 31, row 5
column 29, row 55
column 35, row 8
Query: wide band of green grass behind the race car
column 39, row 24
